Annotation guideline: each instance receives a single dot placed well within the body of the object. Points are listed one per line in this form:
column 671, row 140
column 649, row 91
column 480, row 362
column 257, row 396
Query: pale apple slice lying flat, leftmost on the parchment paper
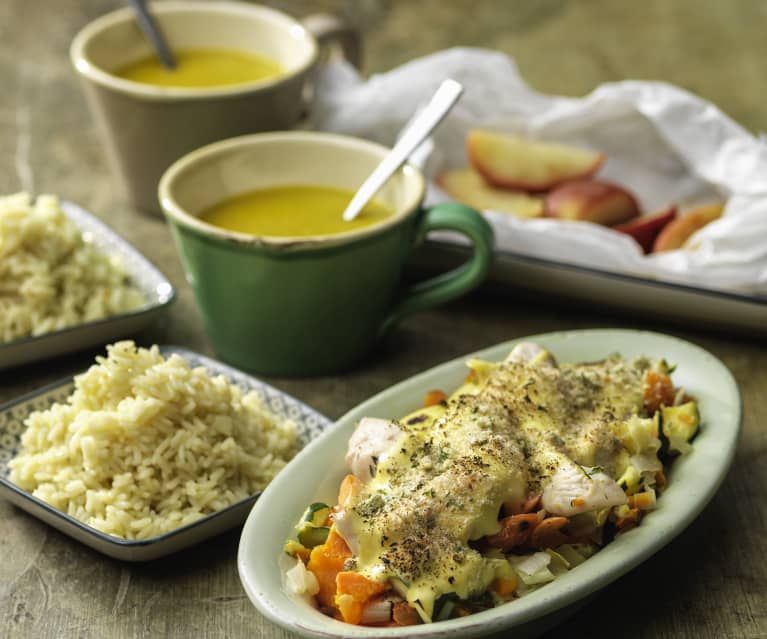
column 467, row 186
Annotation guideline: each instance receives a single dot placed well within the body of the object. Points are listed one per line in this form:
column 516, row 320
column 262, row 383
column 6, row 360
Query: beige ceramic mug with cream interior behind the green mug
column 147, row 127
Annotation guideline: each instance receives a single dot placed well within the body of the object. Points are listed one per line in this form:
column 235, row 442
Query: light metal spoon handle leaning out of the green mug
column 441, row 102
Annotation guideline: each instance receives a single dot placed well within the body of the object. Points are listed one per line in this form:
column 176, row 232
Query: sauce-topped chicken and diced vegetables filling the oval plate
column 476, row 499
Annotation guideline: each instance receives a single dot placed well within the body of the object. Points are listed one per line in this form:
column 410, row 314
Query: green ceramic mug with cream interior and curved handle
column 307, row 306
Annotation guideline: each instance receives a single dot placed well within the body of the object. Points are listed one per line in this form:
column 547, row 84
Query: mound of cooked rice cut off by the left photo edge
column 50, row 277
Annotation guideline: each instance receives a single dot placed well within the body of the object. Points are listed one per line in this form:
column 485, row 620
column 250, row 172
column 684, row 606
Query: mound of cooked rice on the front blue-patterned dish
column 146, row 444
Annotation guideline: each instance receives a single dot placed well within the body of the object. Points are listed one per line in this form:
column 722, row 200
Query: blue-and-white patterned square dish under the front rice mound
column 309, row 424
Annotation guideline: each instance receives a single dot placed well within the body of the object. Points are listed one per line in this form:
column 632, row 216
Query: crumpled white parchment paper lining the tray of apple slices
column 664, row 144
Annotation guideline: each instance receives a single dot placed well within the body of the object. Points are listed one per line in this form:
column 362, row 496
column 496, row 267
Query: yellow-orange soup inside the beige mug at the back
column 198, row 68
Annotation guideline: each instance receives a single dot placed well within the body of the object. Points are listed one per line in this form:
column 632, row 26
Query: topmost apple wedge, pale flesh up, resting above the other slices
column 510, row 161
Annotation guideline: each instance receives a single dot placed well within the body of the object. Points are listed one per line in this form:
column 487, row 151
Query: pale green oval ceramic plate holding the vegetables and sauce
column 693, row 481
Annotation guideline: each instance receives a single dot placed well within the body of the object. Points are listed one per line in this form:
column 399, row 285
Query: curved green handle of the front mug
column 449, row 216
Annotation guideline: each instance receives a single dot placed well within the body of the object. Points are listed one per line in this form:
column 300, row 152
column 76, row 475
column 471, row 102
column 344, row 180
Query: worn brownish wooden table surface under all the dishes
column 711, row 582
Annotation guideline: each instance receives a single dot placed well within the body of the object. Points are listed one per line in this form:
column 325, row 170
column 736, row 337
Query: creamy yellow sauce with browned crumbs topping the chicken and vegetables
column 445, row 482
